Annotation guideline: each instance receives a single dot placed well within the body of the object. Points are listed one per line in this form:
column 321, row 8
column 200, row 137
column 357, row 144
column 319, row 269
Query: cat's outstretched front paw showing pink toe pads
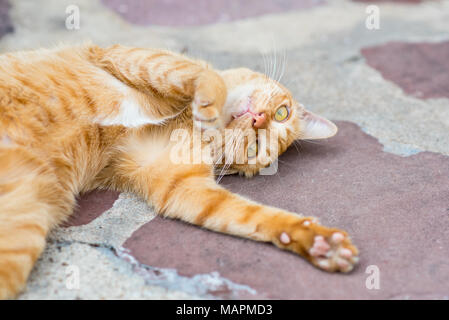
column 327, row 248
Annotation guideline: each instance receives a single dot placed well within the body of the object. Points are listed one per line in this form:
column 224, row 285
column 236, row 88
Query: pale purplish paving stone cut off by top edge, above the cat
column 199, row 12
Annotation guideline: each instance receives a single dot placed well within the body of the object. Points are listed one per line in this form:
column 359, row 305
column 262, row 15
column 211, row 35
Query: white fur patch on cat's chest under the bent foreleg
column 130, row 115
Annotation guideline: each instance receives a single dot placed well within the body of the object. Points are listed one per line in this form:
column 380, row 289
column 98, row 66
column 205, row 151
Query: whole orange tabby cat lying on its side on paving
column 75, row 119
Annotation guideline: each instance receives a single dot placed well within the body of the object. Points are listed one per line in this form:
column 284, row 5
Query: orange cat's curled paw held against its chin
column 207, row 104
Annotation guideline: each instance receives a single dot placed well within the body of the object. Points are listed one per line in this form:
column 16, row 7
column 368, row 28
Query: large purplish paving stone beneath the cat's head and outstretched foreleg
column 395, row 208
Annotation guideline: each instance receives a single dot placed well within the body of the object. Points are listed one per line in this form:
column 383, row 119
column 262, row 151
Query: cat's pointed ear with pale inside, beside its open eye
column 314, row 126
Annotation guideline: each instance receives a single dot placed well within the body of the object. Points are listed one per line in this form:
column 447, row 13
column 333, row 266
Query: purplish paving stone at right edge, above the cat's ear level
column 420, row 69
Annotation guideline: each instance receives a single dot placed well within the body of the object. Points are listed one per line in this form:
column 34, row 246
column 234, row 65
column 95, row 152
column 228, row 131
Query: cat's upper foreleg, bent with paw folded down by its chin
column 171, row 76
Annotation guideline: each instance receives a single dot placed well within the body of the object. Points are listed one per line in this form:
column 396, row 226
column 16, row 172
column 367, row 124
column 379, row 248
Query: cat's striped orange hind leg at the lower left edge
column 31, row 202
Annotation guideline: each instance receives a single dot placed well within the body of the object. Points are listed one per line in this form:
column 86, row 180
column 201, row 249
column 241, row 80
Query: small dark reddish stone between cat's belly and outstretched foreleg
column 90, row 206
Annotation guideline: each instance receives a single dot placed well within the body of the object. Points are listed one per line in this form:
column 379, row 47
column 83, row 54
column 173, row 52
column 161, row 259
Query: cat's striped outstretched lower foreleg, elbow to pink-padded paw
column 194, row 197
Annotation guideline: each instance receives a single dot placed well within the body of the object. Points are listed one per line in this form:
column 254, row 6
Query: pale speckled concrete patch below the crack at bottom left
column 102, row 275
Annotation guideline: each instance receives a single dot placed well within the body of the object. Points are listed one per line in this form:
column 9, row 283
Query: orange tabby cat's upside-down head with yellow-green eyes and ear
column 259, row 105
